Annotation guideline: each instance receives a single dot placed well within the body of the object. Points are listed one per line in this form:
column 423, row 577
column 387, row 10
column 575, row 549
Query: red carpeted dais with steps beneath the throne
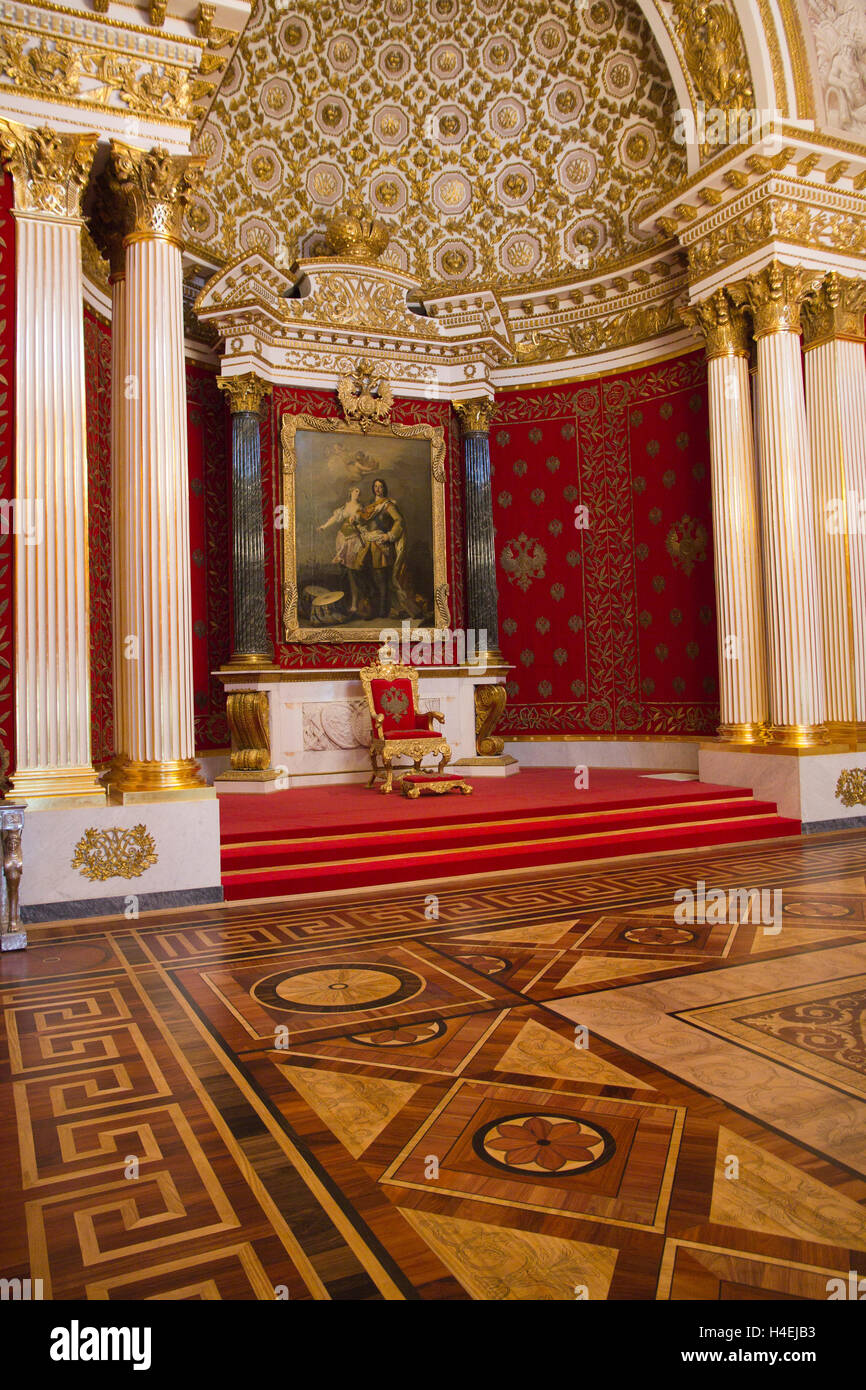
column 325, row 839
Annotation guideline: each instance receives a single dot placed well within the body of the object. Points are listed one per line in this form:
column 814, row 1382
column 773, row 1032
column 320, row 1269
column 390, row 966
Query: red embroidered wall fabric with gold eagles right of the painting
column 611, row 630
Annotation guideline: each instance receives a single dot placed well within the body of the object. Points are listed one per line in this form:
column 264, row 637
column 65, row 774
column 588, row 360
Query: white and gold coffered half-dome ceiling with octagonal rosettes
column 507, row 142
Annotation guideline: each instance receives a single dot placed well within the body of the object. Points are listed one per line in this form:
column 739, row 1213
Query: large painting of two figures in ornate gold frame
column 363, row 529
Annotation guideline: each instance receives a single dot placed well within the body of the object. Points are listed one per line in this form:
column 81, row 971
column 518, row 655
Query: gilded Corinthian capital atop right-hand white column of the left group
column 151, row 190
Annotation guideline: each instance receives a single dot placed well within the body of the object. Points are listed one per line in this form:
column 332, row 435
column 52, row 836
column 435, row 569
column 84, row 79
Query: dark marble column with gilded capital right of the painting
column 476, row 416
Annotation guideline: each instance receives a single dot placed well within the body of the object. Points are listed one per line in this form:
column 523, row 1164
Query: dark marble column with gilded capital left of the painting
column 252, row 646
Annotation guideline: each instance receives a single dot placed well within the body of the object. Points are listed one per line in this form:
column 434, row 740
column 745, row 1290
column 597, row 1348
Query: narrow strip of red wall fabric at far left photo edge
column 8, row 465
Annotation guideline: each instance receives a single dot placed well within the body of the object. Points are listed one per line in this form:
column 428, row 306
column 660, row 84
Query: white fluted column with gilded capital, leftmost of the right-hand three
column 743, row 676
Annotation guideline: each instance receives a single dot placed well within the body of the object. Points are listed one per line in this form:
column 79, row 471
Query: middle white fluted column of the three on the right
column 790, row 562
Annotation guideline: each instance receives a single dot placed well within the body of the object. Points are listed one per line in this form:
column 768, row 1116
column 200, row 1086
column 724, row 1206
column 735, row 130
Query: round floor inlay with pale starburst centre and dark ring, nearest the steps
column 337, row 989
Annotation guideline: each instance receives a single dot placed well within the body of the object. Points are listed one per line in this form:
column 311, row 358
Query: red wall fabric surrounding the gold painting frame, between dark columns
column 297, row 401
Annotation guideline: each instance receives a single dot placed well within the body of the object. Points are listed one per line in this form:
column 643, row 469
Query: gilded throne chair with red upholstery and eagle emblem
column 400, row 728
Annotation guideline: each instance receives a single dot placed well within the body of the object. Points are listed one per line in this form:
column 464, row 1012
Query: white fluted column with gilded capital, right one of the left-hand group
column 155, row 697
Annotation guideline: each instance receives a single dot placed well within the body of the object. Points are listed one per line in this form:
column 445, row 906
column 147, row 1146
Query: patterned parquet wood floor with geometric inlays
column 541, row 1090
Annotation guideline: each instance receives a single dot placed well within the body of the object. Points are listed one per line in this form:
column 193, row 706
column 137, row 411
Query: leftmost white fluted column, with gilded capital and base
column 51, row 504
